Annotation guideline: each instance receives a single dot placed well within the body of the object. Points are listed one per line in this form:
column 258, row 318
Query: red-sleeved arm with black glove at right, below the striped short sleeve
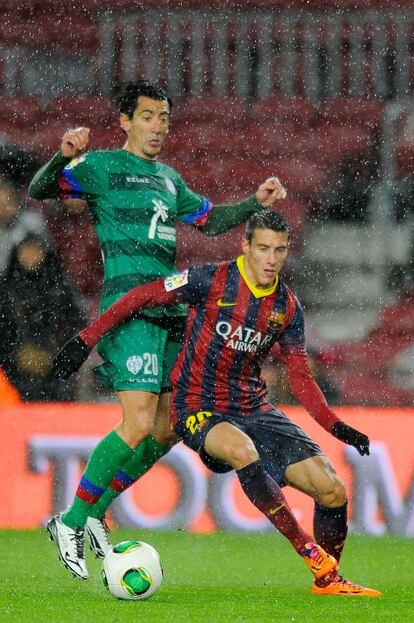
column 308, row 393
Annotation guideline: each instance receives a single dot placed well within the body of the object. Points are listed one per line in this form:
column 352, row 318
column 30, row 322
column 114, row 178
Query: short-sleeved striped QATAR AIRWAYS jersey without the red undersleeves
column 231, row 328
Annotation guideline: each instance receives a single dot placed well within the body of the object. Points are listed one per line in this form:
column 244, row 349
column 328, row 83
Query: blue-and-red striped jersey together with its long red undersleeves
column 232, row 325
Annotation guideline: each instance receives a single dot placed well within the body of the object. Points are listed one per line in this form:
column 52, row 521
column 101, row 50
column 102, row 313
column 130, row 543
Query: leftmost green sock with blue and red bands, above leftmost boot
column 106, row 459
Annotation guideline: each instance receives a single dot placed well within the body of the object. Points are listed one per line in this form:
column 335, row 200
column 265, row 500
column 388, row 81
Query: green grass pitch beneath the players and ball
column 224, row 577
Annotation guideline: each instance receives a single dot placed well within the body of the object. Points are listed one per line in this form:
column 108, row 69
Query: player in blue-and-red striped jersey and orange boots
column 220, row 408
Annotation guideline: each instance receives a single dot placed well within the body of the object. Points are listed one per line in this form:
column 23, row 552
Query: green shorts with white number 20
column 140, row 354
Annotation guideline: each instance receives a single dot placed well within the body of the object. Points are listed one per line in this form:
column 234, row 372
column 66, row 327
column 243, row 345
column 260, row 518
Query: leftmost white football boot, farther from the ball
column 71, row 546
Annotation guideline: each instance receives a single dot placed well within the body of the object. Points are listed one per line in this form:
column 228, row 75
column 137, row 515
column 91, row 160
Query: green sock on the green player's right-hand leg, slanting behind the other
column 145, row 455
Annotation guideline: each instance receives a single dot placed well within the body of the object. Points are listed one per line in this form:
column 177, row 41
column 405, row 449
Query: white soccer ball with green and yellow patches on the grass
column 132, row 570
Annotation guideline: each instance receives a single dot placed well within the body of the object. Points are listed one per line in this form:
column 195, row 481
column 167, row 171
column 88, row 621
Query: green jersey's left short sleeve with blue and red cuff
column 80, row 180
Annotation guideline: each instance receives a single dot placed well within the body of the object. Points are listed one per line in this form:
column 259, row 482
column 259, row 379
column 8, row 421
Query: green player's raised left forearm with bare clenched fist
column 44, row 184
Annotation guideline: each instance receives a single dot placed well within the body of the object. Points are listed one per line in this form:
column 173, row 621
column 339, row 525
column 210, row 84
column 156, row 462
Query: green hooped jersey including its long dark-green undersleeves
column 135, row 205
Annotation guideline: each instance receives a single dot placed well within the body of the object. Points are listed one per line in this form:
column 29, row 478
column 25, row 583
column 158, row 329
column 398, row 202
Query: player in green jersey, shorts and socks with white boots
column 135, row 202
